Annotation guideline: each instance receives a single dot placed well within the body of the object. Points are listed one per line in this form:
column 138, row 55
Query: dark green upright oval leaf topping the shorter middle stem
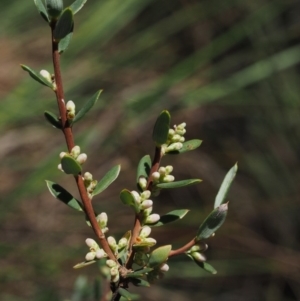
column 161, row 128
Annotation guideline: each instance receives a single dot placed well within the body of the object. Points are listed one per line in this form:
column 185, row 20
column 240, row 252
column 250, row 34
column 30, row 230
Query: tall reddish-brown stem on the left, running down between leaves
column 67, row 130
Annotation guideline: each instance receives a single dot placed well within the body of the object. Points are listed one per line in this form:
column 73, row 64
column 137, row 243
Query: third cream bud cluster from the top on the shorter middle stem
column 145, row 205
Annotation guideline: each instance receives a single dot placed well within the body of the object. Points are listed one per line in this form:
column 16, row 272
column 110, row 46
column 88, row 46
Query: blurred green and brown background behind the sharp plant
column 229, row 69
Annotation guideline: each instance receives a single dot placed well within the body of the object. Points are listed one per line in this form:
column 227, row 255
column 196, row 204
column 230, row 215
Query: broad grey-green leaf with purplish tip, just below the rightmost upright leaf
column 213, row 222
